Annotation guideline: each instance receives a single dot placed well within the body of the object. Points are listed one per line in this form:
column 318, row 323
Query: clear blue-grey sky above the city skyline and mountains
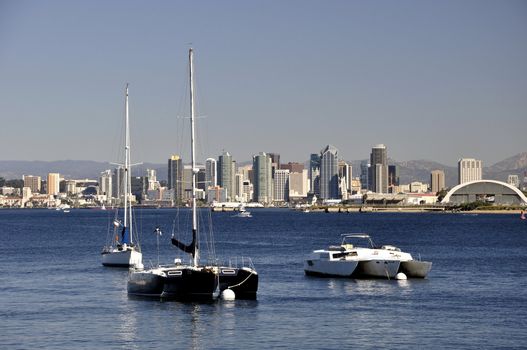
column 435, row 80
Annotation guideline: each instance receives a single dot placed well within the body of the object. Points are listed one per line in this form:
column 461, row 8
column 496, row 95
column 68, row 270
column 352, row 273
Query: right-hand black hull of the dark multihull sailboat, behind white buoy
column 242, row 281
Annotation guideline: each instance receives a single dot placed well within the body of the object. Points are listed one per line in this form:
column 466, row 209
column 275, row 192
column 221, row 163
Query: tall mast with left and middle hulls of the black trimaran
column 180, row 281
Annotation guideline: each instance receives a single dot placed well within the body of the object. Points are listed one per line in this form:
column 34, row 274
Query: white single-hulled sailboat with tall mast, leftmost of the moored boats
column 122, row 251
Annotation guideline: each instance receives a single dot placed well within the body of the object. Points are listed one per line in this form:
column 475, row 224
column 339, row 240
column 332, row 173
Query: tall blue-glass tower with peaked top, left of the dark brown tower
column 329, row 176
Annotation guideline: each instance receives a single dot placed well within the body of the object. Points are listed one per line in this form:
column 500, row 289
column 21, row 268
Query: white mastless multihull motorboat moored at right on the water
column 364, row 260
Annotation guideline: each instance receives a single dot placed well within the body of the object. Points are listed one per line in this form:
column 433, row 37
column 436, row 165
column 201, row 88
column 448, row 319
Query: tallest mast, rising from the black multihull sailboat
column 193, row 161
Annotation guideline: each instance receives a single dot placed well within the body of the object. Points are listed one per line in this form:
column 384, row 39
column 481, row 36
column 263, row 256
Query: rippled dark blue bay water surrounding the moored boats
column 54, row 293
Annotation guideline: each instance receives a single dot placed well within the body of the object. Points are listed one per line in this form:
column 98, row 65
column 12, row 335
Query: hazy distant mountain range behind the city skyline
column 412, row 170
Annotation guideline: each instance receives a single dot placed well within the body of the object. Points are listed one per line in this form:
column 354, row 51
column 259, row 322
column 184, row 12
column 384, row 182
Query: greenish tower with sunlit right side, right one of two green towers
column 263, row 180
